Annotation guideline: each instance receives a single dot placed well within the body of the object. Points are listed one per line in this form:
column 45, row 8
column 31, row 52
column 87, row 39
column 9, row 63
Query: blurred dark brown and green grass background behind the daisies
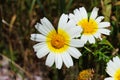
column 17, row 20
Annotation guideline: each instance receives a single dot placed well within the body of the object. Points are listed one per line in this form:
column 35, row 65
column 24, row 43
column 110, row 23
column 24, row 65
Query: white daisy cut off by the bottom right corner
column 113, row 69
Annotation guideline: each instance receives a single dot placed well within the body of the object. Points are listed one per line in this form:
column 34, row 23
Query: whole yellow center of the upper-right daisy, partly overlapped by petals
column 89, row 27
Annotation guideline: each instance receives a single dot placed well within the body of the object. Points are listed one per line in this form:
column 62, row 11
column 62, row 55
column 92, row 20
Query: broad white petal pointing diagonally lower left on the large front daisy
column 42, row 52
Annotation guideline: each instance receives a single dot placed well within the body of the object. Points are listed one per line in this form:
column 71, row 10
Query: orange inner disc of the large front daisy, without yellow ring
column 57, row 41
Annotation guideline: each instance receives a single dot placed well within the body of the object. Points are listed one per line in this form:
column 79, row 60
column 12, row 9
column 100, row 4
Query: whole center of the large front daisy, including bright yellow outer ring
column 58, row 42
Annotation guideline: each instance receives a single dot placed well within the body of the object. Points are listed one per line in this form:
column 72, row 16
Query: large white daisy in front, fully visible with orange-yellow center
column 58, row 44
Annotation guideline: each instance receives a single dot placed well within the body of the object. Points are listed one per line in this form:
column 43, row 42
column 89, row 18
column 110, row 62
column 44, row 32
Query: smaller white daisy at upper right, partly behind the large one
column 92, row 26
